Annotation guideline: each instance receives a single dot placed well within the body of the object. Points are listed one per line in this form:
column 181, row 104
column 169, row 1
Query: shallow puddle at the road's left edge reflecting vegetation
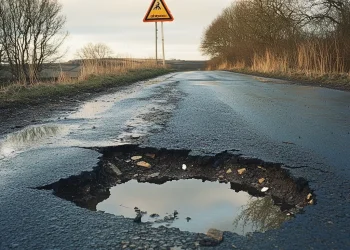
column 28, row 137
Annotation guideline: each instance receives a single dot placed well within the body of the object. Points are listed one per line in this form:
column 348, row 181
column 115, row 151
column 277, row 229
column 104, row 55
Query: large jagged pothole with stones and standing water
column 193, row 193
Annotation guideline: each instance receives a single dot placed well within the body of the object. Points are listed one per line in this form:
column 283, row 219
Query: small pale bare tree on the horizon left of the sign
column 95, row 51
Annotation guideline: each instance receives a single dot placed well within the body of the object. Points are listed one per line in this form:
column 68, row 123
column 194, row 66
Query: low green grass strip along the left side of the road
column 43, row 92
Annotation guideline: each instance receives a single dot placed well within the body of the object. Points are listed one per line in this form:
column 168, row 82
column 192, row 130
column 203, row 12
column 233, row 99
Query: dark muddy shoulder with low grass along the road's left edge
column 32, row 106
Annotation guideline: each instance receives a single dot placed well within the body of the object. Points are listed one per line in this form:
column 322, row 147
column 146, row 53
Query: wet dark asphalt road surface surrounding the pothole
column 305, row 128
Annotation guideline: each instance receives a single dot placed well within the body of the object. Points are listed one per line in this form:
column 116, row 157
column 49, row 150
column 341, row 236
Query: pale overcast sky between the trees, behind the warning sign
column 119, row 24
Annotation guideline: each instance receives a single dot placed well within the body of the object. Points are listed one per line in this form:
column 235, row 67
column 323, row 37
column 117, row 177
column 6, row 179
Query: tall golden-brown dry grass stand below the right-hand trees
column 311, row 61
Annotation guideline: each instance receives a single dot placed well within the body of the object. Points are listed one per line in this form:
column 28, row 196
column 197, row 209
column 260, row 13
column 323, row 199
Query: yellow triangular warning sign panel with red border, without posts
column 158, row 12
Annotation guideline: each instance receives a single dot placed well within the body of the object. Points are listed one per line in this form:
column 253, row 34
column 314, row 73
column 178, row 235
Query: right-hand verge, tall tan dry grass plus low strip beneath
column 314, row 64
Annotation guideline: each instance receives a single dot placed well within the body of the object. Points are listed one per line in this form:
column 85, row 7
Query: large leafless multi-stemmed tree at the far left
column 31, row 35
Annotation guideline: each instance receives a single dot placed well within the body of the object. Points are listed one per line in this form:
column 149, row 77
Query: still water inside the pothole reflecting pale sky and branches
column 200, row 206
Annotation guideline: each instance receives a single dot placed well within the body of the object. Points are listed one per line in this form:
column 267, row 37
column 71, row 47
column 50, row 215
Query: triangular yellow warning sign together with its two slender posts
column 159, row 12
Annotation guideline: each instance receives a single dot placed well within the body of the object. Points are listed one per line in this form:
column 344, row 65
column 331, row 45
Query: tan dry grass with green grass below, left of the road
column 95, row 76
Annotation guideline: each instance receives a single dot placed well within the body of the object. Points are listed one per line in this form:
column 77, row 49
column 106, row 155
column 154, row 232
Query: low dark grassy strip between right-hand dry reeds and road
column 338, row 83
